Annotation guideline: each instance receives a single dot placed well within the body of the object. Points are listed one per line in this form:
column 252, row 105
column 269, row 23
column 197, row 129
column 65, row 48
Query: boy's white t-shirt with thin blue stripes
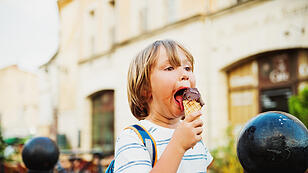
column 132, row 156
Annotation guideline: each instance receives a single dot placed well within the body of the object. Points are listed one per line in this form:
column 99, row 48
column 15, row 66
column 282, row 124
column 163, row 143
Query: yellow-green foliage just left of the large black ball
column 225, row 158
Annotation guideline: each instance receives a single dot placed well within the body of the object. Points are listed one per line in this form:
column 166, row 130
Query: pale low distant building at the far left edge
column 19, row 102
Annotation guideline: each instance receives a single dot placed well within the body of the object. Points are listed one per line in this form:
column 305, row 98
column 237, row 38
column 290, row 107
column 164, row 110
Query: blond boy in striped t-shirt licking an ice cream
column 156, row 76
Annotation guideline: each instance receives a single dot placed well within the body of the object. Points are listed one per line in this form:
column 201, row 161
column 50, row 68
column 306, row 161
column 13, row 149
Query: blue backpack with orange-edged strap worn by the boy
column 147, row 140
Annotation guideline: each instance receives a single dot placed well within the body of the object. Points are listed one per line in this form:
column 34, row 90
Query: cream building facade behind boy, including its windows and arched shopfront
column 250, row 57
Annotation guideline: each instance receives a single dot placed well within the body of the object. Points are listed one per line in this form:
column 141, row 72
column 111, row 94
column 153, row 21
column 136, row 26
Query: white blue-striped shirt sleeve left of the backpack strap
column 130, row 154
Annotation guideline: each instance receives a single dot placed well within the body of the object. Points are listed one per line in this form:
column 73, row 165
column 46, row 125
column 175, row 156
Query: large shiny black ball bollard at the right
column 273, row 142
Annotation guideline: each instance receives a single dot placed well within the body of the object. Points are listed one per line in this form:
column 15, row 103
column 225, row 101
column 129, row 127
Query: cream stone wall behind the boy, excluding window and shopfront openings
column 225, row 34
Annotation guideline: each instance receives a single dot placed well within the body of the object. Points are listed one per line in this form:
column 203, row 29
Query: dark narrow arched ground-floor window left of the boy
column 103, row 121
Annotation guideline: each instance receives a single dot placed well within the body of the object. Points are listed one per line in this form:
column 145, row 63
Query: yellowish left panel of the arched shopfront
column 243, row 93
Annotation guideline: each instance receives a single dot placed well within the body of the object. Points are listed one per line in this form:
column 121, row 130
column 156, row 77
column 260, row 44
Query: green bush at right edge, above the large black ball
column 298, row 106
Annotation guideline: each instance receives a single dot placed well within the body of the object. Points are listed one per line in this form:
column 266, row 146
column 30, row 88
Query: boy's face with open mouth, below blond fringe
column 165, row 81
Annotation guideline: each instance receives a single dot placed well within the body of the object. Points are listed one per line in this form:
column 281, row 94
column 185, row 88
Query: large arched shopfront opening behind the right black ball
column 264, row 82
